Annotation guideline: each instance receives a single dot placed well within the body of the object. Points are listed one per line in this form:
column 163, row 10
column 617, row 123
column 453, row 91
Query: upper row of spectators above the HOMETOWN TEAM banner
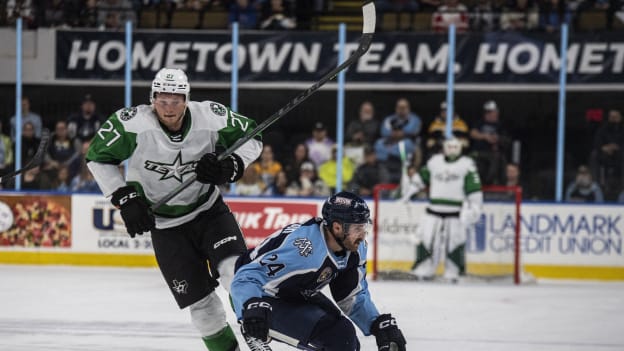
column 467, row 15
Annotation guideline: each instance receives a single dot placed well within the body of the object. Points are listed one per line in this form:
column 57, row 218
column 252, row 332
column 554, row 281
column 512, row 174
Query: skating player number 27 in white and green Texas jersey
column 164, row 143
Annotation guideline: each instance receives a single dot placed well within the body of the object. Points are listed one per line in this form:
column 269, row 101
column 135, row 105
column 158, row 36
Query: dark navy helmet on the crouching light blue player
column 346, row 208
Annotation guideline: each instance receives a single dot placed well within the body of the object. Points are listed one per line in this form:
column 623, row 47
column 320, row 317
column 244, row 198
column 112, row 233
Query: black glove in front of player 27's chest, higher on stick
column 212, row 171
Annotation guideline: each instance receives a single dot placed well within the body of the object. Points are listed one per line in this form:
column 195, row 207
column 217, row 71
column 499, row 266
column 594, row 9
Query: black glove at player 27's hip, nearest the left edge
column 135, row 212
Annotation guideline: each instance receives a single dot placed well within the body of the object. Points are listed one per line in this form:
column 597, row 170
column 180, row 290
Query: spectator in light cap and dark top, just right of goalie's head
column 490, row 144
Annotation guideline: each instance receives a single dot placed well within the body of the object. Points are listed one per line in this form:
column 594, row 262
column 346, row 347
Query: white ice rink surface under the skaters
column 93, row 309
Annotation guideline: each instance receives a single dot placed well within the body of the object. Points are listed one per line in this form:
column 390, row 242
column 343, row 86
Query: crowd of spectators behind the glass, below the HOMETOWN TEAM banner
column 376, row 151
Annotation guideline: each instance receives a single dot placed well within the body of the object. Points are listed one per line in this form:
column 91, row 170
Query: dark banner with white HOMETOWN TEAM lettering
column 406, row 58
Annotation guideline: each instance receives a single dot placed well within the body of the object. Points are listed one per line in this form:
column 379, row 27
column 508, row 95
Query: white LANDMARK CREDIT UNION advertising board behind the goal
column 556, row 240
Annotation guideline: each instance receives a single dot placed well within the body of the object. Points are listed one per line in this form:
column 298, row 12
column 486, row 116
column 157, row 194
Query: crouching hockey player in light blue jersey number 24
column 276, row 291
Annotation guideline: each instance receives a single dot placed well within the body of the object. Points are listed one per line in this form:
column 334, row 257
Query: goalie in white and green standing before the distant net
column 455, row 202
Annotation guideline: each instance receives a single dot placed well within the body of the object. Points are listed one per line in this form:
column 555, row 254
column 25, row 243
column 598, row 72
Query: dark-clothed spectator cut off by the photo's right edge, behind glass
column 607, row 157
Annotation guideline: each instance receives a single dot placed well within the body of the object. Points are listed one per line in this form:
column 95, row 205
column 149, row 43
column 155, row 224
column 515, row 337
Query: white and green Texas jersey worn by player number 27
column 158, row 162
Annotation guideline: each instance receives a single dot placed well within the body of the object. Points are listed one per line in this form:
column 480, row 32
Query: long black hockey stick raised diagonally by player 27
column 368, row 29
